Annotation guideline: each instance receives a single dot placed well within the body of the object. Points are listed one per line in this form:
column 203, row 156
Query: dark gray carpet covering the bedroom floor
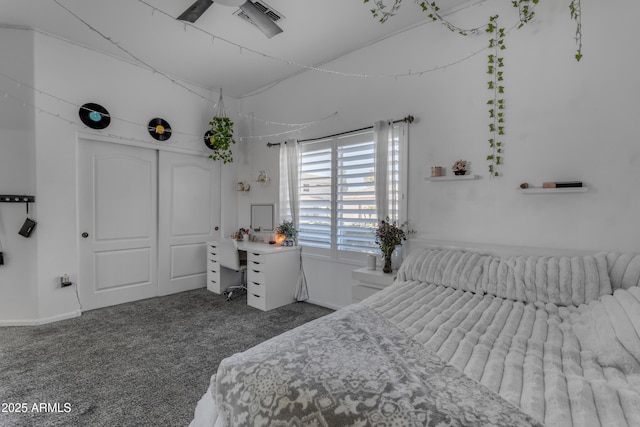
column 145, row 363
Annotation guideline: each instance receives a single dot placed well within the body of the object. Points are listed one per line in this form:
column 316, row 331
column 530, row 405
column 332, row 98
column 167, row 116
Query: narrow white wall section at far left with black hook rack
column 17, row 176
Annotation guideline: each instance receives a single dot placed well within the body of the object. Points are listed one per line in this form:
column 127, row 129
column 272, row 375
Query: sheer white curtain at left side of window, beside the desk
column 289, row 201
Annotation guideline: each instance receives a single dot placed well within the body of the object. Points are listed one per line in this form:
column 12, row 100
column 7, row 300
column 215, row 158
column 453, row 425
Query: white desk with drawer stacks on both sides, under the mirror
column 272, row 273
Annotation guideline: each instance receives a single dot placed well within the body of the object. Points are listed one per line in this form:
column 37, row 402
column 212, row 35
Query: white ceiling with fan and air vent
column 315, row 32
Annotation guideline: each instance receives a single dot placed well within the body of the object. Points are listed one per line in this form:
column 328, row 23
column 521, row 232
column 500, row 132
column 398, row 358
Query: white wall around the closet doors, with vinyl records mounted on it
column 74, row 76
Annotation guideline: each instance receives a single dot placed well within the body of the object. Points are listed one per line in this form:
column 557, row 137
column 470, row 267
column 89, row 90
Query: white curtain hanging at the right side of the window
column 381, row 133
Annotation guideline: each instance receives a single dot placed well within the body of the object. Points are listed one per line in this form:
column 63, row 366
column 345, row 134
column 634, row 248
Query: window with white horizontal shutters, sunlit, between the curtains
column 338, row 193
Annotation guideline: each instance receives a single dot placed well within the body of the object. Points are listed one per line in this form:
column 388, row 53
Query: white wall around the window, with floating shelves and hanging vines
column 565, row 121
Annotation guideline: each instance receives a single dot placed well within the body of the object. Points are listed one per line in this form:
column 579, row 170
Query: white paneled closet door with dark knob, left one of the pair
column 117, row 192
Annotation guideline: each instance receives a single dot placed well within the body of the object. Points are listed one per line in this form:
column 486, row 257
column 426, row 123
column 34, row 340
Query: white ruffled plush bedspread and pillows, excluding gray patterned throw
column 545, row 333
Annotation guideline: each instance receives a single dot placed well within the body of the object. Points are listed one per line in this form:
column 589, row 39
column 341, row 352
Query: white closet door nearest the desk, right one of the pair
column 189, row 216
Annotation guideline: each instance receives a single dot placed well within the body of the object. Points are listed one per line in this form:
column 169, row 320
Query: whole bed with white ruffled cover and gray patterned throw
column 460, row 338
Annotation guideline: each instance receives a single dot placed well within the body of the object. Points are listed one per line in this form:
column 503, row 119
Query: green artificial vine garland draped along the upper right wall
column 495, row 61
